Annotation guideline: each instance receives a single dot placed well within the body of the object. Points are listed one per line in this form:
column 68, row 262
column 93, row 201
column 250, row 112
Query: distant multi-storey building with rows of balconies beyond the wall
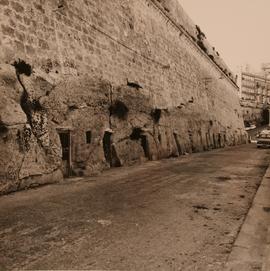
column 254, row 93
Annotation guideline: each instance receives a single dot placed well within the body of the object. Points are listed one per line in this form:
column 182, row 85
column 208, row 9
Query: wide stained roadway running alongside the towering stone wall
column 177, row 214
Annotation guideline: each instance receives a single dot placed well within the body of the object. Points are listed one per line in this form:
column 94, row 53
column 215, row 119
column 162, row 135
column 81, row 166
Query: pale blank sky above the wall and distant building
column 238, row 29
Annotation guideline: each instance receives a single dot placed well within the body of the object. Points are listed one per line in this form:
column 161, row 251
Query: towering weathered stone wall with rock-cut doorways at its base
column 83, row 54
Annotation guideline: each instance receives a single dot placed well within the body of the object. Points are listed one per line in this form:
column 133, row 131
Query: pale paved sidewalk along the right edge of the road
column 251, row 250
